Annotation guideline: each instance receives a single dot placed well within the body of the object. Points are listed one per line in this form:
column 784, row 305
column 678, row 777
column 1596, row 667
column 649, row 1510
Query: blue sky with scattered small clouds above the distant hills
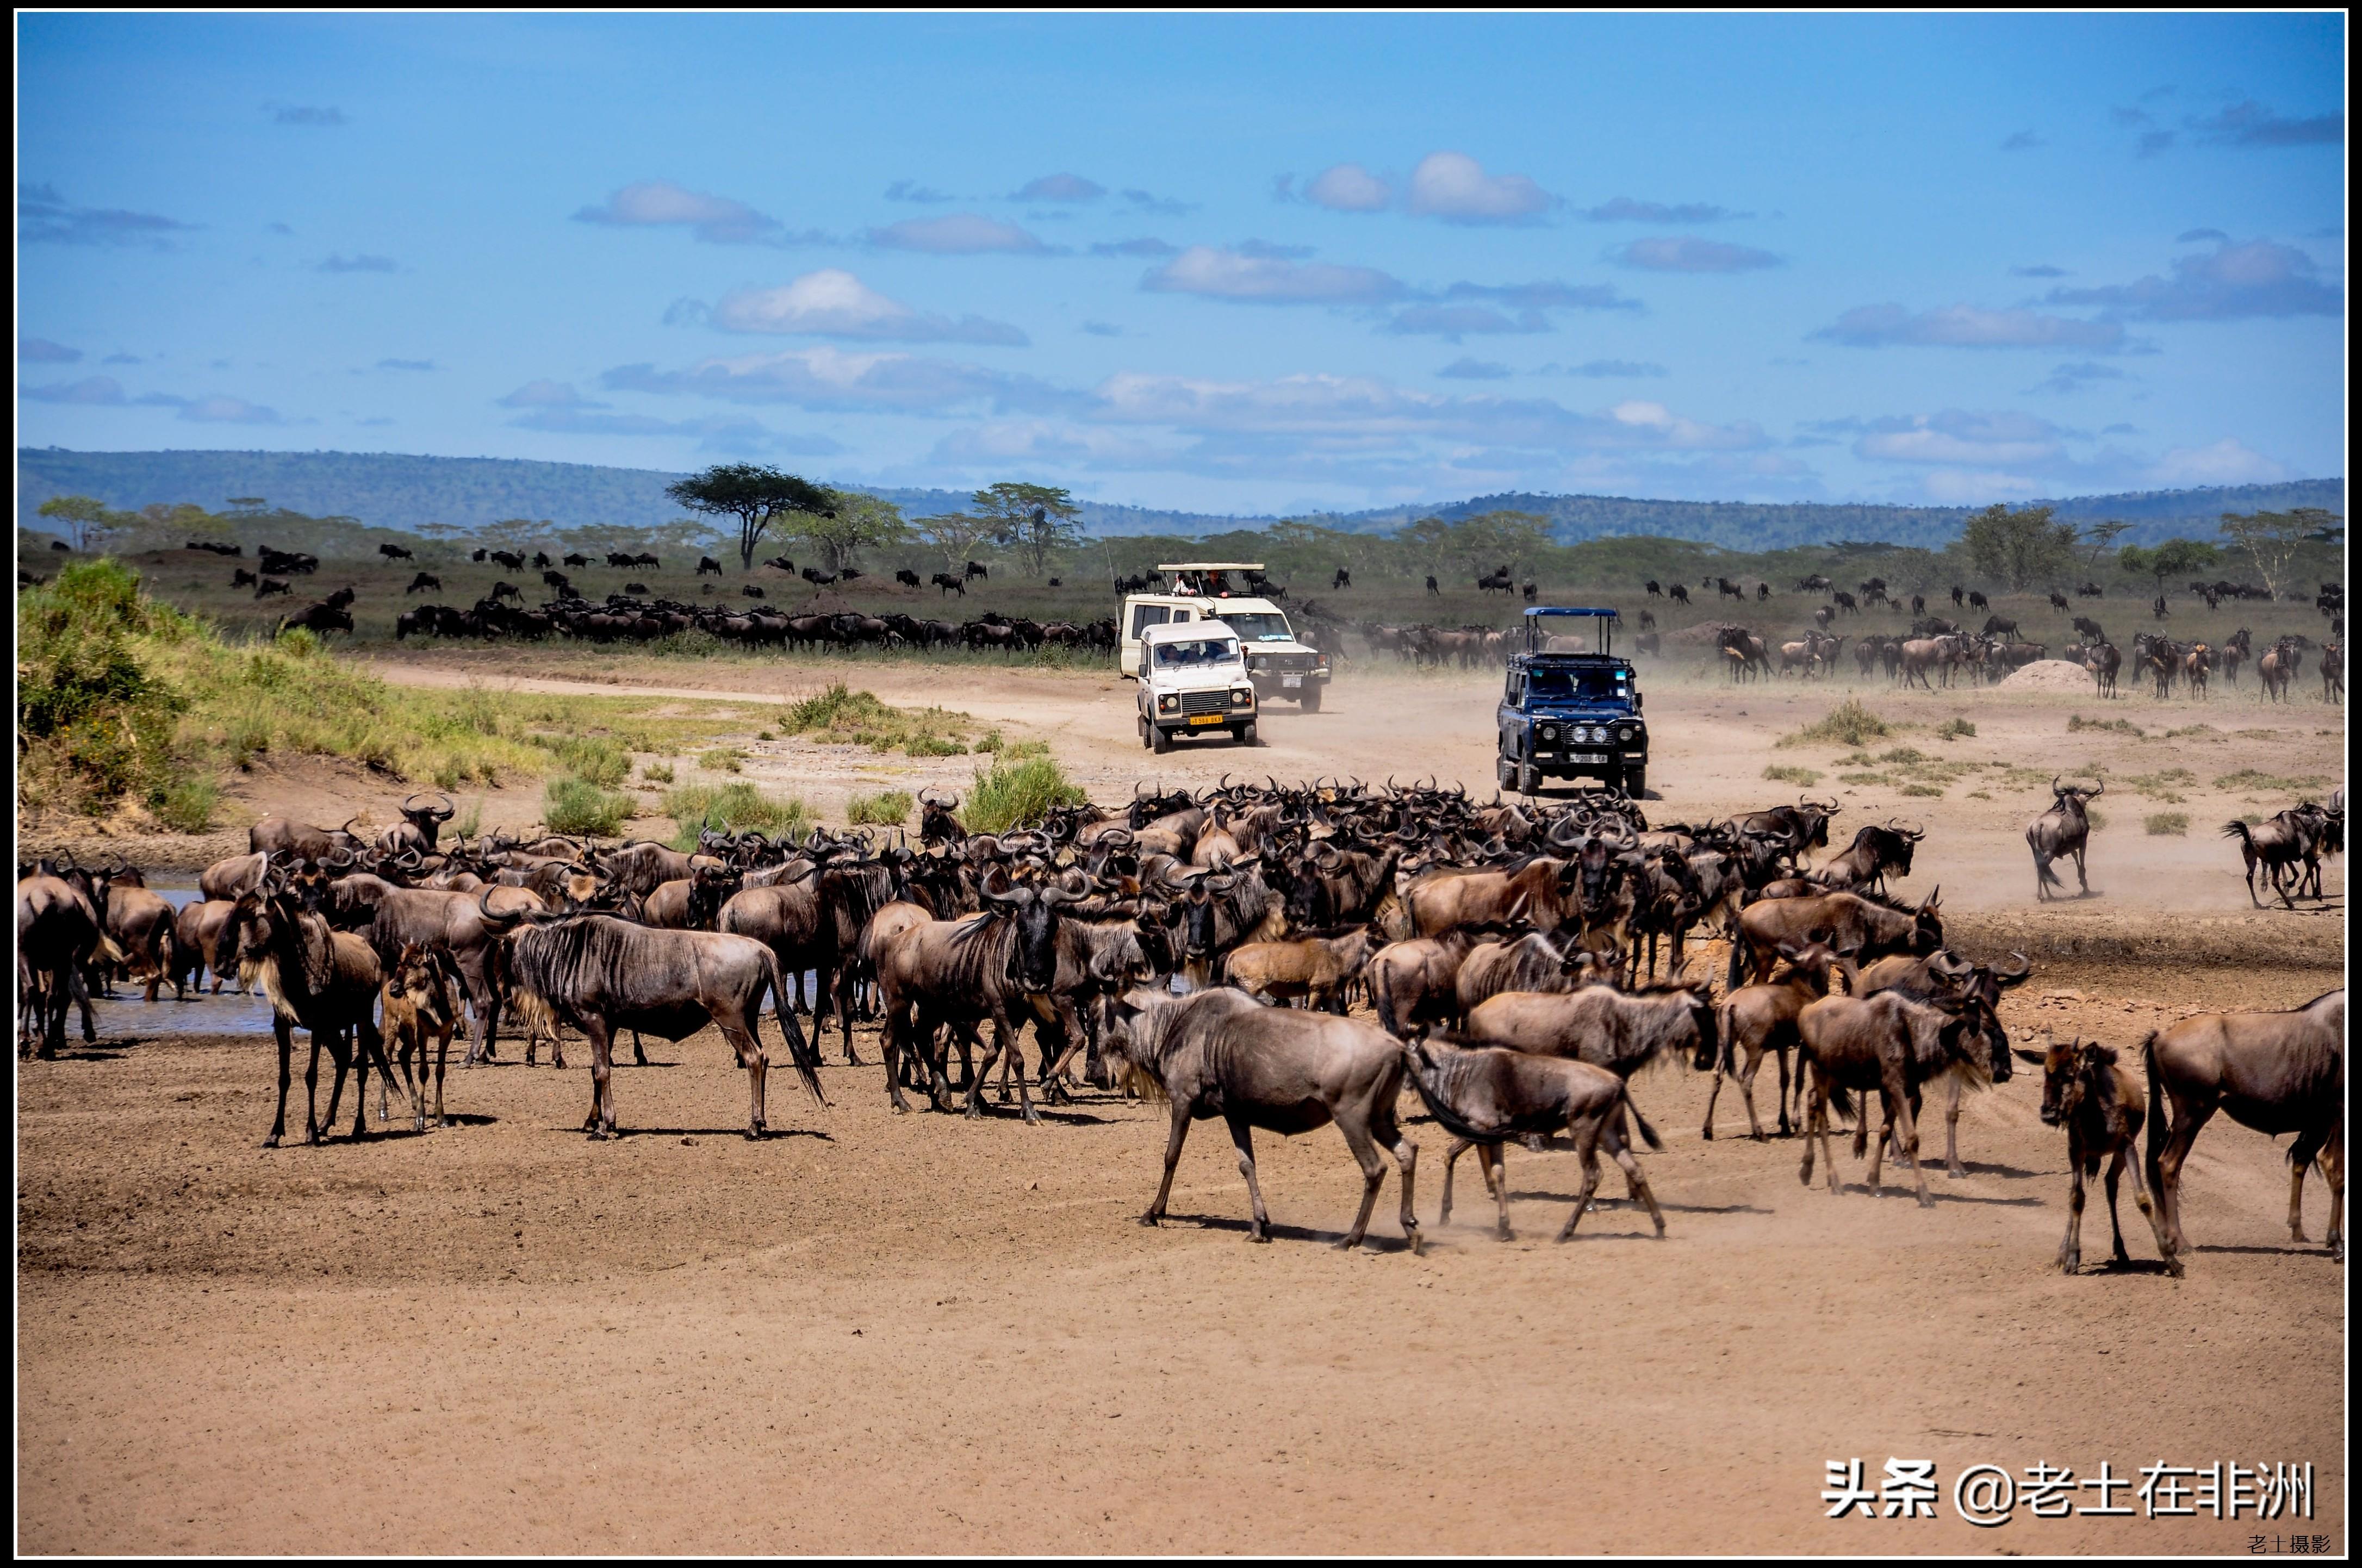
column 1215, row 263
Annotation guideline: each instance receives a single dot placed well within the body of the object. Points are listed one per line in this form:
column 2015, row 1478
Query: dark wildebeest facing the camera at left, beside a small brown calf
column 320, row 981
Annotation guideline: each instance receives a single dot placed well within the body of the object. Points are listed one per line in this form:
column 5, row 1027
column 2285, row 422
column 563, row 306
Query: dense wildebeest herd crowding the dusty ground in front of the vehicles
column 1522, row 965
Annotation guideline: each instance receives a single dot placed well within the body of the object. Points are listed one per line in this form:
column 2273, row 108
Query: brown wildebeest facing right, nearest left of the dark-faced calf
column 1884, row 1043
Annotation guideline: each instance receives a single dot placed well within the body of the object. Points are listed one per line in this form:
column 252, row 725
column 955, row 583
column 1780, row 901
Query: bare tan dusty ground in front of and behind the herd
column 934, row 1335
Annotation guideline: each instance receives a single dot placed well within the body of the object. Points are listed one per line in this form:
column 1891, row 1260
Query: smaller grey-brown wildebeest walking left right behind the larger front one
column 1489, row 1095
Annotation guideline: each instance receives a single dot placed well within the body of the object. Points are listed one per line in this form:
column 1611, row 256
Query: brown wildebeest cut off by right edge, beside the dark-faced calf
column 2281, row 1073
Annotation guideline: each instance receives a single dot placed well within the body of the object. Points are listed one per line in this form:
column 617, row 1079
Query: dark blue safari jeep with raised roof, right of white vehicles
column 1570, row 710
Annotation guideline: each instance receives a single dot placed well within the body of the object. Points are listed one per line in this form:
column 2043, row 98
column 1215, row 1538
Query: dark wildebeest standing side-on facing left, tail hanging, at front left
column 601, row 974
